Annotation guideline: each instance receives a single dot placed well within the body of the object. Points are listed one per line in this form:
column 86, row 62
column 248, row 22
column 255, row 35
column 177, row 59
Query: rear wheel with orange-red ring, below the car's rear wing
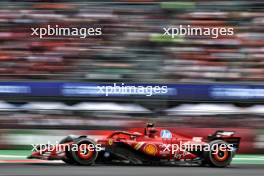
column 217, row 157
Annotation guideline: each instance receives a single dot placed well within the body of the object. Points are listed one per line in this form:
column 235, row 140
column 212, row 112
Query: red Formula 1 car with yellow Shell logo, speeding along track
column 157, row 146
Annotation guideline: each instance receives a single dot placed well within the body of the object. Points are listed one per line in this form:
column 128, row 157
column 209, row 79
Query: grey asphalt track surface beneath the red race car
column 60, row 169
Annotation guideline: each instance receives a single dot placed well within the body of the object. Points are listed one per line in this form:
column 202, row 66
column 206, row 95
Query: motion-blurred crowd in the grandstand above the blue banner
column 132, row 47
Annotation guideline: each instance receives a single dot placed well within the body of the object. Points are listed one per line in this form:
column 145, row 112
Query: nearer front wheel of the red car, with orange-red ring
column 84, row 151
